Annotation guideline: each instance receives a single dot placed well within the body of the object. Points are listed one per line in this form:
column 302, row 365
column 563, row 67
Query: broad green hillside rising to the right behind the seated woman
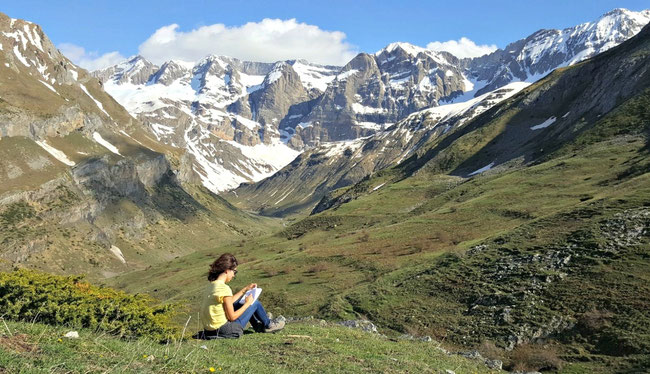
column 348, row 261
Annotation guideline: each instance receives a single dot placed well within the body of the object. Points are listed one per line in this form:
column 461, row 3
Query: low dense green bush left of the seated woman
column 27, row 295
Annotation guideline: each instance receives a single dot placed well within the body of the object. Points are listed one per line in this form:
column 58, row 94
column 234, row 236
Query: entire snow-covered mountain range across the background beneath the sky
column 230, row 115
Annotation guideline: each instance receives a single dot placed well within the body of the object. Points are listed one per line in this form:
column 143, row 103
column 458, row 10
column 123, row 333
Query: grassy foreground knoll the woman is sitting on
column 301, row 347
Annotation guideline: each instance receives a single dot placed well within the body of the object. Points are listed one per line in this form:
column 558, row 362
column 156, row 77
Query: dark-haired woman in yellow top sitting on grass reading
column 221, row 314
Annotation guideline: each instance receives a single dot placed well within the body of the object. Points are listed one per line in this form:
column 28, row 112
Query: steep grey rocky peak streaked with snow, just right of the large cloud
column 374, row 90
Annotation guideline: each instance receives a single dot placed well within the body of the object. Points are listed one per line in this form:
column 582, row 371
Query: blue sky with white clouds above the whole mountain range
column 98, row 28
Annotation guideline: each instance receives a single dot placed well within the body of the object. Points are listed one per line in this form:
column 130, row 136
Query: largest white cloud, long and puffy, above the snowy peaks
column 269, row 40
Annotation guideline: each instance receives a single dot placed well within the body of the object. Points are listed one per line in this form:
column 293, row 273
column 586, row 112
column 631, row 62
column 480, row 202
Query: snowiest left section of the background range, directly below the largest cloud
column 225, row 112
